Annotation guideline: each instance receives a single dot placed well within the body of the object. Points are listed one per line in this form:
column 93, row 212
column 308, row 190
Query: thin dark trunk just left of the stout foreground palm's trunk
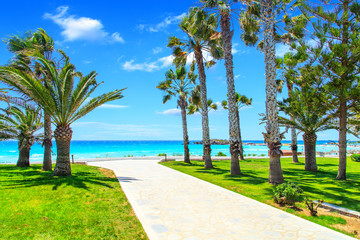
column 47, row 163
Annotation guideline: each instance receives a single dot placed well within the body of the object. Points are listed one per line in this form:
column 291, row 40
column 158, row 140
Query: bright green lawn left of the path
column 87, row 205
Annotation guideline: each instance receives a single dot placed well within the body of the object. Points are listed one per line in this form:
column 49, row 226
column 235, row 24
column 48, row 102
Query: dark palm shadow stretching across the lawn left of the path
column 32, row 176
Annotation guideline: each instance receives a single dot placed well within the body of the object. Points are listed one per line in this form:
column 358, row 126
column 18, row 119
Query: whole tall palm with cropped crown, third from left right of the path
column 224, row 10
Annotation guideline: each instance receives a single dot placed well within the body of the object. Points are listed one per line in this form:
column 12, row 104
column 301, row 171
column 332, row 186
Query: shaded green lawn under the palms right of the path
column 316, row 185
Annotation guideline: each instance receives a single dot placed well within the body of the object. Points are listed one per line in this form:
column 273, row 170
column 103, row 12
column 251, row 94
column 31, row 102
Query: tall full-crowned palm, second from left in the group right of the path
column 200, row 28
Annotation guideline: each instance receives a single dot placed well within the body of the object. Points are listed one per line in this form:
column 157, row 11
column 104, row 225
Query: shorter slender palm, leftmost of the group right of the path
column 179, row 84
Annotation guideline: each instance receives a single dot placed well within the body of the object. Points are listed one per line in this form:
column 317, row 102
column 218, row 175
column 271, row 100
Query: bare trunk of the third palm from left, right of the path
column 234, row 131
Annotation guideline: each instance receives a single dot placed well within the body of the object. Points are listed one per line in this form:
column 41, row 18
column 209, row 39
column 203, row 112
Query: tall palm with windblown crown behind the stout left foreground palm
column 40, row 42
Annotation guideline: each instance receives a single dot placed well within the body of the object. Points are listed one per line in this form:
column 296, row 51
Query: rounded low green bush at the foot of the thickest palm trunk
column 287, row 193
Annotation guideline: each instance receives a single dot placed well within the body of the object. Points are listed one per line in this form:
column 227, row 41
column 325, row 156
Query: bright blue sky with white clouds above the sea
column 126, row 44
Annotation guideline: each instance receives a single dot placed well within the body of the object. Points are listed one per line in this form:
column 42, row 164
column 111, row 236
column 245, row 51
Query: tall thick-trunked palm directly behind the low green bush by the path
column 259, row 20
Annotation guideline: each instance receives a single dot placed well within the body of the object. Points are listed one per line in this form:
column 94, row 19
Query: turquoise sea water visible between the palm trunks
column 109, row 149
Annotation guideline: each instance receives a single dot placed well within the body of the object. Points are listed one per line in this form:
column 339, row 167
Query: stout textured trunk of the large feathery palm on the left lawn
column 63, row 135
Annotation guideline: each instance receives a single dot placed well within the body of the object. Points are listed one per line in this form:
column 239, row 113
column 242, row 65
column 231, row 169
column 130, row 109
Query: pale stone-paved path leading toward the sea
column 172, row 205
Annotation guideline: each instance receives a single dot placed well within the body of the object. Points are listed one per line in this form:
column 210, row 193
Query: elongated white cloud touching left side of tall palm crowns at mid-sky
column 148, row 66
